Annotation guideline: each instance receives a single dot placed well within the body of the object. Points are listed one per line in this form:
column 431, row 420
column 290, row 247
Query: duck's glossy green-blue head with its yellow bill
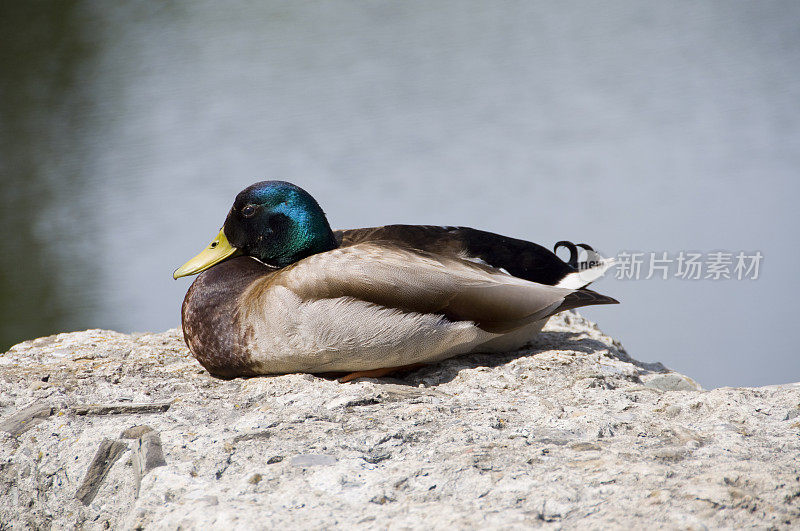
column 275, row 221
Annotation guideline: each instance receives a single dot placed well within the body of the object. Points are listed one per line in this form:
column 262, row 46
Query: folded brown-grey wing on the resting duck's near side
column 415, row 281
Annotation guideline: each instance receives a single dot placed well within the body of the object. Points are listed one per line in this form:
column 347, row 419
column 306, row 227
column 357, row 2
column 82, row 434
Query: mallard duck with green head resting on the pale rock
column 280, row 292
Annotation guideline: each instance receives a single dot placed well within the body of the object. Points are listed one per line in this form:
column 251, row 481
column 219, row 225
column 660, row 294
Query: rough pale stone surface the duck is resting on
column 102, row 429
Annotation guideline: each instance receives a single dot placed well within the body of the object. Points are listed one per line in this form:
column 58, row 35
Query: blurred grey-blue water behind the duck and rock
column 126, row 129
